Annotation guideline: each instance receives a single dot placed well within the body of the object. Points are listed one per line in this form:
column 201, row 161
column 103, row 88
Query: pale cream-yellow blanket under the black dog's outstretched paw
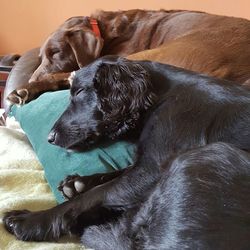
column 22, row 186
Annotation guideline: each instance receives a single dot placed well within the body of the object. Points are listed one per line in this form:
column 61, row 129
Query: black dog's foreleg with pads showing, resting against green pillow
column 73, row 185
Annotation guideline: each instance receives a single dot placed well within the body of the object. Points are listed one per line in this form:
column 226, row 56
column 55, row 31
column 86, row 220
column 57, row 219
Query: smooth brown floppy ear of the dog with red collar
column 85, row 45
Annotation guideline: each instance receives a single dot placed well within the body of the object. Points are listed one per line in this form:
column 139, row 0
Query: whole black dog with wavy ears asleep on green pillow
column 190, row 185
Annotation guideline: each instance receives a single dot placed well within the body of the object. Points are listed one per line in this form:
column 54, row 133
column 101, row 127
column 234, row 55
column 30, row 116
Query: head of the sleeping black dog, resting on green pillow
column 108, row 99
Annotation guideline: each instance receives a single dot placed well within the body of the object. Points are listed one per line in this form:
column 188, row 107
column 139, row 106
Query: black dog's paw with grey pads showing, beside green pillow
column 72, row 186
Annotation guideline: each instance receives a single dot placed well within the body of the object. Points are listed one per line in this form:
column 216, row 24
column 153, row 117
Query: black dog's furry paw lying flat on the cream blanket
column 33, row 226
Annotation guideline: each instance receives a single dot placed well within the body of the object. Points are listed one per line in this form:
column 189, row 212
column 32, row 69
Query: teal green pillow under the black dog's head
column 37, row 118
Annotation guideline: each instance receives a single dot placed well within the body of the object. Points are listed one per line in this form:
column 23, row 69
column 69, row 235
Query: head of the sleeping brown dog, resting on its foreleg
column 72, row 46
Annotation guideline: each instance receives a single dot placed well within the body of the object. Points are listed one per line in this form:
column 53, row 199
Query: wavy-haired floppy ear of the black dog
column 124, row 87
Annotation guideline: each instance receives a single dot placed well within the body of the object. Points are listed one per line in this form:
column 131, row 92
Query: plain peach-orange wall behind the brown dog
column 25, row 24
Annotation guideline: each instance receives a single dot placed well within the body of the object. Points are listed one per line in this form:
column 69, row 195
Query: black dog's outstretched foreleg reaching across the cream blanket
column 122, row 192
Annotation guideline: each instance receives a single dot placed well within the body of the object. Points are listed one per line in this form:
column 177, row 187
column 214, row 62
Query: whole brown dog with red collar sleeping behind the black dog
column 215, row 45
